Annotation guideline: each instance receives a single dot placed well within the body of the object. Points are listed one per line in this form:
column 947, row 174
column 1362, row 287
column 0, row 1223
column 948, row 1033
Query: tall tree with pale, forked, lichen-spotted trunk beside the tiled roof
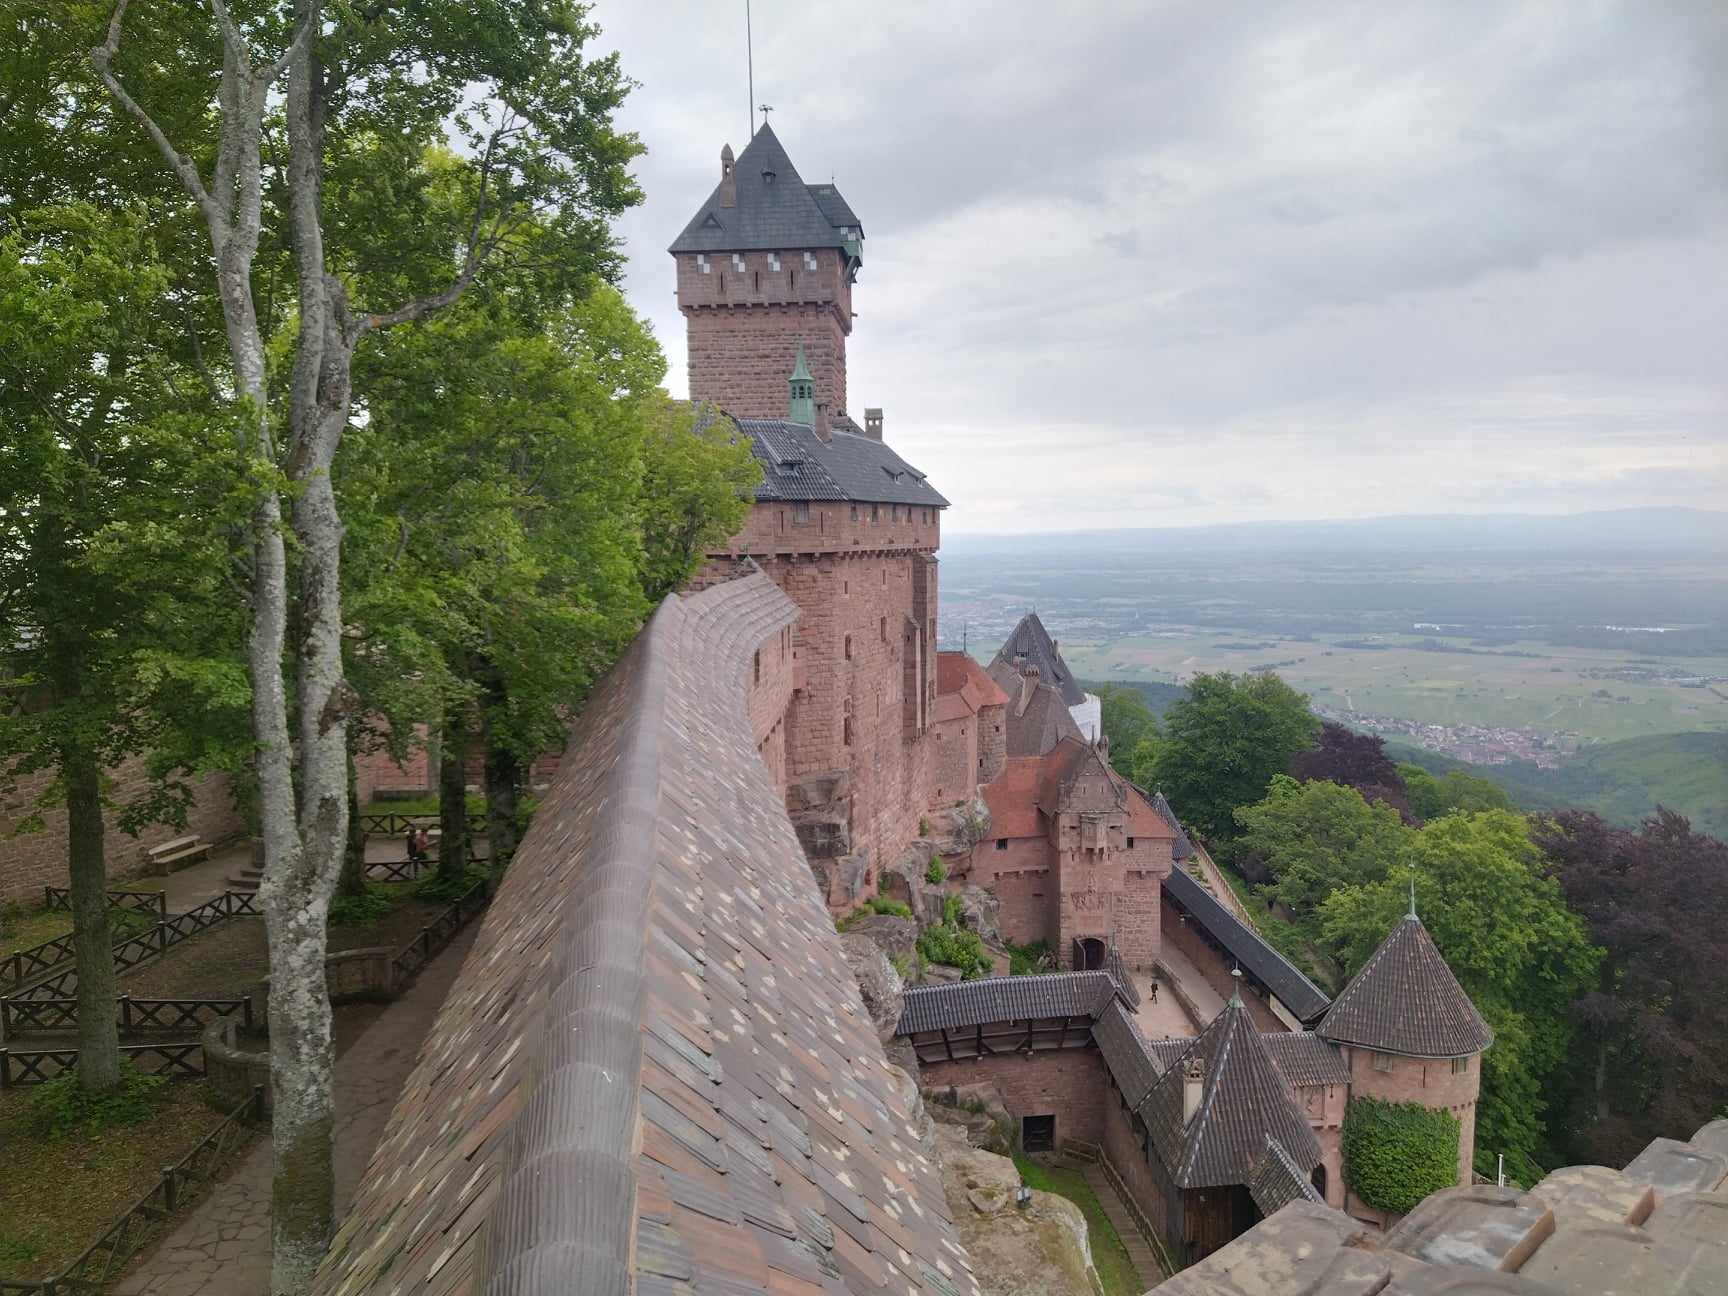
column 543, row 172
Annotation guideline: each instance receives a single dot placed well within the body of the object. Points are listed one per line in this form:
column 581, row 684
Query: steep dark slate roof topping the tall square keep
column 770, row 215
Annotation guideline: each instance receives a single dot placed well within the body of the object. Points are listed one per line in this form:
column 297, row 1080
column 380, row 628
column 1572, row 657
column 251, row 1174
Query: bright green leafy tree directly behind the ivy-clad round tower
column 1520, row 953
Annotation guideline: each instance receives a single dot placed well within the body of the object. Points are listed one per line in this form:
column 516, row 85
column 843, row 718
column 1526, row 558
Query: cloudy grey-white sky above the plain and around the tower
column 1136, row 265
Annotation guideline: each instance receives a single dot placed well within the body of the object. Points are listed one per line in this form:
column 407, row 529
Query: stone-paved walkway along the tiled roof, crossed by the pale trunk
column 224, row 1247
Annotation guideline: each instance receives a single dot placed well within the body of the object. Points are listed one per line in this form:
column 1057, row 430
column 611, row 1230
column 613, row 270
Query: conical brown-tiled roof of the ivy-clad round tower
column 1406, row 1000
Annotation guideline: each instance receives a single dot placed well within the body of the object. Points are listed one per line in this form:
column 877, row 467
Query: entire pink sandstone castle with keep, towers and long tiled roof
column 656, row 1070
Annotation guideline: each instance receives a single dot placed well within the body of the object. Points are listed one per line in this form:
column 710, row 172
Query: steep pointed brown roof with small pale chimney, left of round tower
column 1243, row 1100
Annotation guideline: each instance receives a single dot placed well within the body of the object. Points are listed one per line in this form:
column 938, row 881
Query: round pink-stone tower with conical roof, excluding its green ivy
column 1409, row 1032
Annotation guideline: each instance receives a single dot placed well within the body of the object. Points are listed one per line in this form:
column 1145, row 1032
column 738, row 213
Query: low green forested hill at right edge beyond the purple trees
column 1622, row 782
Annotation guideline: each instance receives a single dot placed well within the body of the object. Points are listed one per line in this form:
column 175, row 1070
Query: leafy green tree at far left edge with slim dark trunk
column 111, row 554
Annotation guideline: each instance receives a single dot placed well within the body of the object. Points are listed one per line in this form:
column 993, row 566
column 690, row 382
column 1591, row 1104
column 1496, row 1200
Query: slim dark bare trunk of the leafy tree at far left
column 92, row 934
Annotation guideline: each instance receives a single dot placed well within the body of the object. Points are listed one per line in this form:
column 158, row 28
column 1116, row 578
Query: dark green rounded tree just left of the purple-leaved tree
column 1224, row 742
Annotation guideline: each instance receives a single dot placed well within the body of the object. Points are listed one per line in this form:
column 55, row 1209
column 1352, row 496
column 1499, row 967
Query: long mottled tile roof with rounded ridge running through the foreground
column 654, row 1072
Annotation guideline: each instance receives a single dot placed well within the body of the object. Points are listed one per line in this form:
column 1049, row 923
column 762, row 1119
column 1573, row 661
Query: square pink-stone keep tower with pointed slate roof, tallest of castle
column 766, row 265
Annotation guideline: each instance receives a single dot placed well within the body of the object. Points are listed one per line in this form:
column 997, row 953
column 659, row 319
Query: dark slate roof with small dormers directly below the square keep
column 801, row 466
